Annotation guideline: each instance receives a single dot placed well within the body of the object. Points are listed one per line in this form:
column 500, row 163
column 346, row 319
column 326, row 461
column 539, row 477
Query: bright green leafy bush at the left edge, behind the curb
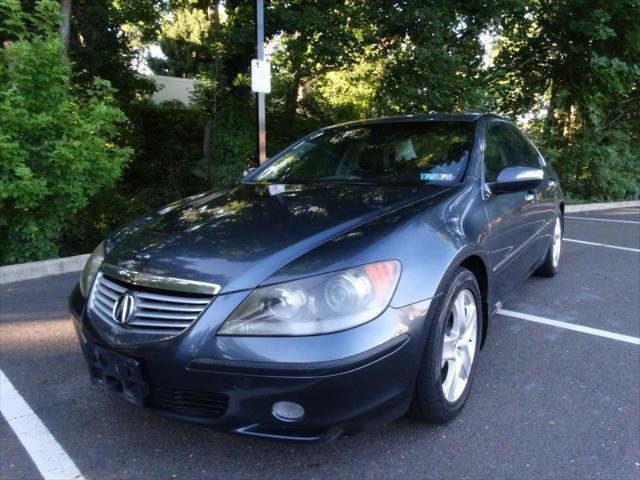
column 58, row 145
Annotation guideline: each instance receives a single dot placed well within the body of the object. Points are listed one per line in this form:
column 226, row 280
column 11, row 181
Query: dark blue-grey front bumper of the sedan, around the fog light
column 349, row 380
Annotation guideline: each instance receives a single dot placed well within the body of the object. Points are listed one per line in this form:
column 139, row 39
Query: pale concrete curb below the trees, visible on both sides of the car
column 58, row 266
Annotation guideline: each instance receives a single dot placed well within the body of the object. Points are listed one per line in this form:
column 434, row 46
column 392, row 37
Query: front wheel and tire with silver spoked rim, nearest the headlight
column 436, row 400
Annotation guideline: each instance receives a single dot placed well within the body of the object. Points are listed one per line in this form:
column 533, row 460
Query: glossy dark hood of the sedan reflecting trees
column 238, row 237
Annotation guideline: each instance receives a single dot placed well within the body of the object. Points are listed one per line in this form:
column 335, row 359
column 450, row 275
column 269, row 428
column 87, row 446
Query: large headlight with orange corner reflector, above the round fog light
column 316, row 305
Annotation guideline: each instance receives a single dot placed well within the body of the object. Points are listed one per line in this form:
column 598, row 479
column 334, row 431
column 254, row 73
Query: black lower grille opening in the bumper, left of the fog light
column 188, row 402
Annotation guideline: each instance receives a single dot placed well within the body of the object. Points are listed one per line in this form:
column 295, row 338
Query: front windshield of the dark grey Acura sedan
column 385, row 153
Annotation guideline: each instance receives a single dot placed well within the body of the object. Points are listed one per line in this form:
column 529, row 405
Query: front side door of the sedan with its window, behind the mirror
column 513, row 217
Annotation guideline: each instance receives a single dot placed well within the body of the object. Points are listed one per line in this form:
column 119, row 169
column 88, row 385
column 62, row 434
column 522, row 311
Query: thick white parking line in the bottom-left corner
column 47, row 454
